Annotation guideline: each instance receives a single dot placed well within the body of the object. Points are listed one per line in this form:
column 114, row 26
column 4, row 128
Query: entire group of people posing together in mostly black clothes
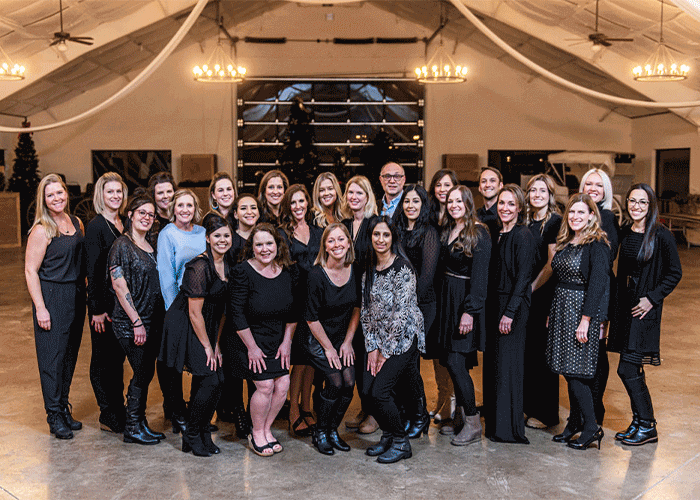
column 289, row 290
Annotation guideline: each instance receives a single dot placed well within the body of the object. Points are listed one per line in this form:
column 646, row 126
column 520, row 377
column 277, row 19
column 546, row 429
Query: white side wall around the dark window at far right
column 666, row 131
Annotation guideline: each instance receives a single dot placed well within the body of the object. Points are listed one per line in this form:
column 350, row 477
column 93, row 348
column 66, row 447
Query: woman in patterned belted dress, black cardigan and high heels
column 580, row 270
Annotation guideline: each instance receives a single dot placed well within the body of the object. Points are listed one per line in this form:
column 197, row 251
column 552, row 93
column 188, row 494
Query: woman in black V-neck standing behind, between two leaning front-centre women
column 303, row 238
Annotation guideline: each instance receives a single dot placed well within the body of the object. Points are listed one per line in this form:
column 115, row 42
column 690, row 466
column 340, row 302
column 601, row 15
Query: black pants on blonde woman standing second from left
column 107, row 370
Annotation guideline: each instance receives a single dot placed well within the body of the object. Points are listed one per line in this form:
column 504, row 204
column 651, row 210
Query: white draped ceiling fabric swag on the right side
column 557, row 79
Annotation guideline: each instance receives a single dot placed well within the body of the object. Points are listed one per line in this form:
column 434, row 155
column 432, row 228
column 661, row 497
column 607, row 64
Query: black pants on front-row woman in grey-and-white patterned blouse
column 379, row 390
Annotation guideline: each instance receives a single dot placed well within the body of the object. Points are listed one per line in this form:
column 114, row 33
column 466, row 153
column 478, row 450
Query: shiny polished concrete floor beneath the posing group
column 96, row 464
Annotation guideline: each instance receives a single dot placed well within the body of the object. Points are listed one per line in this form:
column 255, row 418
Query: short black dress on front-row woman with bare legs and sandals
column 265, row 305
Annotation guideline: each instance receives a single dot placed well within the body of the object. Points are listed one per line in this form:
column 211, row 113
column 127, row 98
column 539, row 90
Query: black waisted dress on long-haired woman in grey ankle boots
column 464, row 288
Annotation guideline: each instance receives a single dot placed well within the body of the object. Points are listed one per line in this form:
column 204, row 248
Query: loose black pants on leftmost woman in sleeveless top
column 57, row 348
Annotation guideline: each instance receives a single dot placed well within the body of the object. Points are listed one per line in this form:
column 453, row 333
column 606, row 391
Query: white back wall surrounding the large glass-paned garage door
column 496, row 109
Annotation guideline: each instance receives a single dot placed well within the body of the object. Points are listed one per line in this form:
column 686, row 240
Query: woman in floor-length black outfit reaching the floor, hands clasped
column 508, row 305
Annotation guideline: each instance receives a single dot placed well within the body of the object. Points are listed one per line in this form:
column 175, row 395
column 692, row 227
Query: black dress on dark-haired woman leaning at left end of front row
column 180, row 347
